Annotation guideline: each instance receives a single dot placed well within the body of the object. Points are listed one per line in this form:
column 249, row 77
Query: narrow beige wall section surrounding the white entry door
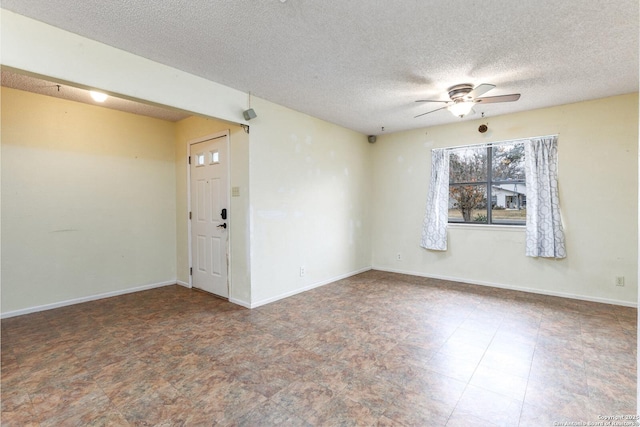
column 197, row 127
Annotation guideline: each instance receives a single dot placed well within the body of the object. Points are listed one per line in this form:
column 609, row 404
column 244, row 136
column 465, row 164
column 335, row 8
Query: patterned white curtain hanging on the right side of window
column 545, row 236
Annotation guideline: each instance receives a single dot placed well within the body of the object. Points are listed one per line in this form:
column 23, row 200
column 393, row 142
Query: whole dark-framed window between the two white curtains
column 487, row 184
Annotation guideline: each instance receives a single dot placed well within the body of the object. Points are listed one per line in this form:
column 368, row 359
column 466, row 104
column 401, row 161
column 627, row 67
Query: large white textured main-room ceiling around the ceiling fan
column 362, row 64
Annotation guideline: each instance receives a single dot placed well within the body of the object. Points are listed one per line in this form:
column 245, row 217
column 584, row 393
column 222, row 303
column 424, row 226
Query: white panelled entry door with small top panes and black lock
column 209, row 215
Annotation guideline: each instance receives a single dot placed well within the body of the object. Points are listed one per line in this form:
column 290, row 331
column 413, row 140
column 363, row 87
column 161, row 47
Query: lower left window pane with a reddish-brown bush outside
column 468, row 203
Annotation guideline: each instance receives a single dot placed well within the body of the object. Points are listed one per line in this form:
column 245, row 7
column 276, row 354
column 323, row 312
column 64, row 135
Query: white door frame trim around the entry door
column 222, row 134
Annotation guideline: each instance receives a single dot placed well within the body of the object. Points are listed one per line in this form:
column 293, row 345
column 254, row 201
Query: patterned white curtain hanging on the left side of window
column 434, row 226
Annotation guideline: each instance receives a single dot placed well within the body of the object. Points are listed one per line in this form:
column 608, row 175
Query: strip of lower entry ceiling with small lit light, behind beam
column 65, row 91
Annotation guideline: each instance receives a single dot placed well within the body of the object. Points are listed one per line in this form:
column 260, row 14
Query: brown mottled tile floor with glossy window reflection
column 375, row 349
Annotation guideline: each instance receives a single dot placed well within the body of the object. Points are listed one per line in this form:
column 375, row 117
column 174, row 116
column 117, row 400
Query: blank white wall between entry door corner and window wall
column 310, row 189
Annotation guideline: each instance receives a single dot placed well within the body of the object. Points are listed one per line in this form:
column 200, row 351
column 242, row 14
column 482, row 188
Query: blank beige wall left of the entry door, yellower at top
column 88, row 201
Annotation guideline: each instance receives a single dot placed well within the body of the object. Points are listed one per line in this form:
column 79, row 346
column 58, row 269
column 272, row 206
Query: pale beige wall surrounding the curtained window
column 598, row 171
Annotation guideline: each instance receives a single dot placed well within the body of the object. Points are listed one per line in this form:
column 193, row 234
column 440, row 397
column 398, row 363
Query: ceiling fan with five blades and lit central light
column 465, row 96
